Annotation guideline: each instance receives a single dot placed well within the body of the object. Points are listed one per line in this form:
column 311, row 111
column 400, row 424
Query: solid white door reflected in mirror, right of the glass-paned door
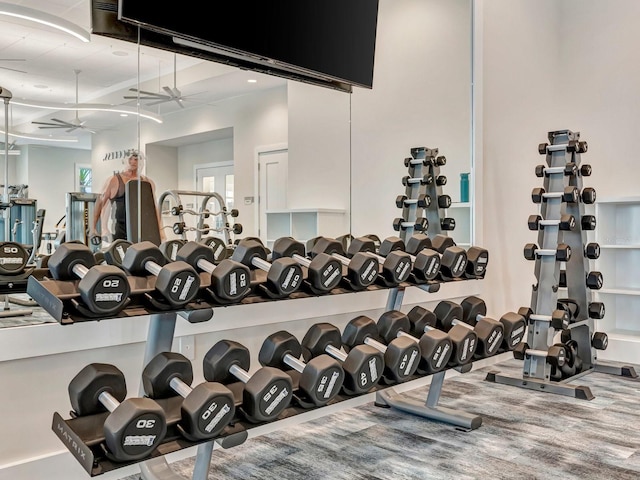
column 272, row 185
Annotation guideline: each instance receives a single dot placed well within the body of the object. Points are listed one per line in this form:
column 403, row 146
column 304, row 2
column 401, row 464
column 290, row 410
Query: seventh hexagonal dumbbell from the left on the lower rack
column 435, row 345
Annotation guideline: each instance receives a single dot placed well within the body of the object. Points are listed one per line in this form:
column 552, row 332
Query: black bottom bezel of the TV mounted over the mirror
column 153, row 35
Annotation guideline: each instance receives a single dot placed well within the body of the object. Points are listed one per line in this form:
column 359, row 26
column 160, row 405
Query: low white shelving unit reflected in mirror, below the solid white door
column 303, row 224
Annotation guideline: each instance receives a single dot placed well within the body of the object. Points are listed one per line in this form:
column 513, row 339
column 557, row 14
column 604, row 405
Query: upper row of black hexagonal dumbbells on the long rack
column 104, row 282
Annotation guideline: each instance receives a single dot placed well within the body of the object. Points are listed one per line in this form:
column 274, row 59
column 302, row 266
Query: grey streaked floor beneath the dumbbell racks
column 524, row 435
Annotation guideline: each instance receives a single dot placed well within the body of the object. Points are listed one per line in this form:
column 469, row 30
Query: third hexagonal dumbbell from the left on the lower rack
column 266, row 393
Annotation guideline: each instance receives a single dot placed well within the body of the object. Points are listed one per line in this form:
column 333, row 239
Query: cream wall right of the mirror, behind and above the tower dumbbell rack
column 554, row 65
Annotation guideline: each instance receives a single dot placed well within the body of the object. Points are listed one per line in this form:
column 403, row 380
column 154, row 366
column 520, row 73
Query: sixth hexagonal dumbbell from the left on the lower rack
column 401, row 354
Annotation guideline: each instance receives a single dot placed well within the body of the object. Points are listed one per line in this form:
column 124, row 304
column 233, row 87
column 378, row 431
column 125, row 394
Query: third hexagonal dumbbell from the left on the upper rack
column 230, row 280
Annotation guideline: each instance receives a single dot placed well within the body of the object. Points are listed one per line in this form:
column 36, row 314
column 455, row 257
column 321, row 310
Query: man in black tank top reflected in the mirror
column 113, row 194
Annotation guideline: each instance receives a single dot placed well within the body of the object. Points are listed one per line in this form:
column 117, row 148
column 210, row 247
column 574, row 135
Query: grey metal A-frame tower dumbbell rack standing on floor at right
column 562, row 152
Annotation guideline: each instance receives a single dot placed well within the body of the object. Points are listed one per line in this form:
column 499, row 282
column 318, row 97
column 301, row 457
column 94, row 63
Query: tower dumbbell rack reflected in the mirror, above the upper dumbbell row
column 424, row 168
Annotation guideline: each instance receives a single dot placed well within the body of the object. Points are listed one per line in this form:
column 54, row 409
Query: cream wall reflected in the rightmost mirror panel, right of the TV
column 421, row 96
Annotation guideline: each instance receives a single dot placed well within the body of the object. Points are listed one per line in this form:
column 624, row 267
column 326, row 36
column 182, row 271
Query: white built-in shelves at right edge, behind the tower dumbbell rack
column 618, row 233
